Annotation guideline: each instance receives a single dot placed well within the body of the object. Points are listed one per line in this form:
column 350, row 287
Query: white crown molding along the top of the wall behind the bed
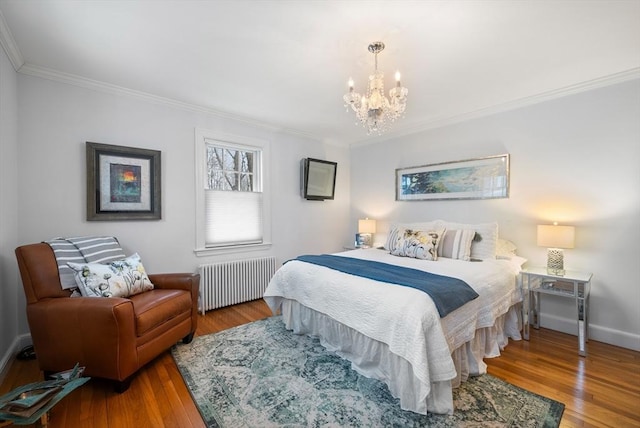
column 589, row 85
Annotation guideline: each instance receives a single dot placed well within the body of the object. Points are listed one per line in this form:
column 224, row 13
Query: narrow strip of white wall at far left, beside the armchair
column 10, row 298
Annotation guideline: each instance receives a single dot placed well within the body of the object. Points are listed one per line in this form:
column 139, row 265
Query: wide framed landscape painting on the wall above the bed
column 483, row 178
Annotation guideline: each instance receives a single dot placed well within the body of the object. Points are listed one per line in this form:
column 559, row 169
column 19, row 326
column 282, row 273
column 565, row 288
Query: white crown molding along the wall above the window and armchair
column 96, row 85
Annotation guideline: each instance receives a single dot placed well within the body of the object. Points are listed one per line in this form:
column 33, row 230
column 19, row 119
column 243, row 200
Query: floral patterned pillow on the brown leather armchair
column 121, row 278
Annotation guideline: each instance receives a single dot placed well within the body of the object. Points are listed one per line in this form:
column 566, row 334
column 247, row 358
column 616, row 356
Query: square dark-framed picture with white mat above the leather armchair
column 123, row 183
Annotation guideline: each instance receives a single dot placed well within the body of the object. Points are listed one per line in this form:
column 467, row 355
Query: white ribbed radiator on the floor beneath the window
column 229, row 283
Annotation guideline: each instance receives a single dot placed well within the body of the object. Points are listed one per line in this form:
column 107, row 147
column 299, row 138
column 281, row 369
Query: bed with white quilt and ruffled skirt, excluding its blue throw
column 395, row 333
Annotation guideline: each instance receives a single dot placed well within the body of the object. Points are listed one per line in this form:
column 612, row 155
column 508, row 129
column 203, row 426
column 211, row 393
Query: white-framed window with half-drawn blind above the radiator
column 231, row 202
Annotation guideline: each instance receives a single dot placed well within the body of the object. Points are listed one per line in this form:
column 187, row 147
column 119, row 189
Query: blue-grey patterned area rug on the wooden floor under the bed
column 261, row 375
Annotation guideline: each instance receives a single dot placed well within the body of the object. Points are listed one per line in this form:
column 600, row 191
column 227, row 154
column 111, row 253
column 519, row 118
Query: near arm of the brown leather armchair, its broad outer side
column 101, row 330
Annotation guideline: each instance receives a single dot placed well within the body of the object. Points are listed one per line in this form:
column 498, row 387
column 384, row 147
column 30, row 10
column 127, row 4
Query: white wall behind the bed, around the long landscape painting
column 575, row 160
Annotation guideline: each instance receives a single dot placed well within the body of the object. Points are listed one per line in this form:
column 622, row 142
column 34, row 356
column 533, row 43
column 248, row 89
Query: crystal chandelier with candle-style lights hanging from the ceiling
column 375, row 111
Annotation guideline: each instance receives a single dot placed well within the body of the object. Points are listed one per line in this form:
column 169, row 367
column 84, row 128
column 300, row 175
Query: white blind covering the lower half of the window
column 233, row 218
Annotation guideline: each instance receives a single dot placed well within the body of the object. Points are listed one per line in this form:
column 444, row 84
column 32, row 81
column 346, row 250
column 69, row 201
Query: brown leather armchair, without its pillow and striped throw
column 111, row 337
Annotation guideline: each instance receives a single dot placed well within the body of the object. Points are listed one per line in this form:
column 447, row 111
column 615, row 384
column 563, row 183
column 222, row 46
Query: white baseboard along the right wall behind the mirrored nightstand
column 596, row 332
